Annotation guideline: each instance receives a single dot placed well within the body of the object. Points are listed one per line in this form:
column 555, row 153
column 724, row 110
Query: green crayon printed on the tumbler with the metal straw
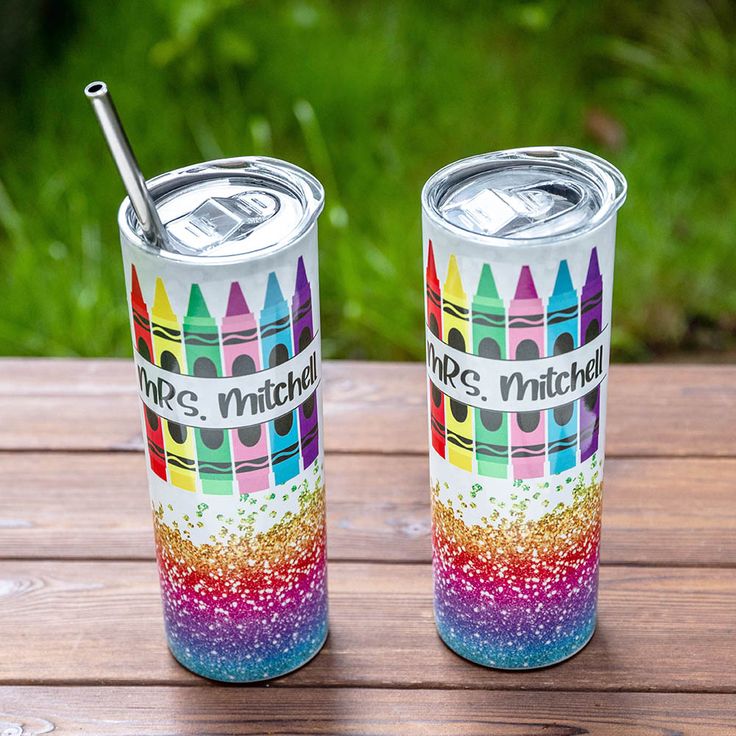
column 202, row 347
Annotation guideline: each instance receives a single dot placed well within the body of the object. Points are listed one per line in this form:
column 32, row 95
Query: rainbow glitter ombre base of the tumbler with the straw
column 246, row 606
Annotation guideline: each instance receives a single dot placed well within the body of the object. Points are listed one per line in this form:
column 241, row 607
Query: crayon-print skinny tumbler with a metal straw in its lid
column 225, row 323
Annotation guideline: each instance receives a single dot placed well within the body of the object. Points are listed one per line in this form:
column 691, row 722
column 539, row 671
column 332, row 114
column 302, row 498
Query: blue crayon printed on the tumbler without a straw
column 562, row 337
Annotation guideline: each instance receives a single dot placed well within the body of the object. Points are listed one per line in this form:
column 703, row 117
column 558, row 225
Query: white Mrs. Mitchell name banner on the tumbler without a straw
column 517, row 385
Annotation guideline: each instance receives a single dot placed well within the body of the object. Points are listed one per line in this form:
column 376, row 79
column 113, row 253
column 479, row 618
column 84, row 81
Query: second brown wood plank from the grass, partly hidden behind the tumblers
column 94, row 505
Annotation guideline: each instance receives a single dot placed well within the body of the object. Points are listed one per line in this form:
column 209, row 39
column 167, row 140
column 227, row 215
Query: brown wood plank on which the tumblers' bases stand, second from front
column 660, row 629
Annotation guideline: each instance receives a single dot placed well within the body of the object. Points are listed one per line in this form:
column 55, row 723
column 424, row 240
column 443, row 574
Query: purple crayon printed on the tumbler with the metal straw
column 303, row 330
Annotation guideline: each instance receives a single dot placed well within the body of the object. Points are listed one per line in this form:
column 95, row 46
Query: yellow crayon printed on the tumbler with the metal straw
column 169, row 354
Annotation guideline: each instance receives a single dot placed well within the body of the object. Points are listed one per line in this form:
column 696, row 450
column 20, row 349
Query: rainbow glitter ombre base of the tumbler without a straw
column 518, row 593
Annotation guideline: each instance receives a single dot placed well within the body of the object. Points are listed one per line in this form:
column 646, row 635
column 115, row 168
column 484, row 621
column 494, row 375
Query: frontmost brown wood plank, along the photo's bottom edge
column 206, row 711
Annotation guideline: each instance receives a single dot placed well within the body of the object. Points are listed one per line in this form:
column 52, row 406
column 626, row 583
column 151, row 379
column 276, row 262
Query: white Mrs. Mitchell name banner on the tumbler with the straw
column 234, row 401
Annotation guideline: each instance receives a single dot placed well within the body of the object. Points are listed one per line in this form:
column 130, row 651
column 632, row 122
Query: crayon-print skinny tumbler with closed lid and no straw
column 518, row 259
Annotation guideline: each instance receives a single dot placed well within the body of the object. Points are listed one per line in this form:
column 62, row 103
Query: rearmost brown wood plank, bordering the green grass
column 669, row 410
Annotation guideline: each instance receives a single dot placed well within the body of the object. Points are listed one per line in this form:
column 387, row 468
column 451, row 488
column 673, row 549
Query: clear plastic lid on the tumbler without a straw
column 525, row 194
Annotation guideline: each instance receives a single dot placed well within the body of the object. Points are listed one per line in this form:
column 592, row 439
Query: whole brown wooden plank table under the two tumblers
column 81, row 637
